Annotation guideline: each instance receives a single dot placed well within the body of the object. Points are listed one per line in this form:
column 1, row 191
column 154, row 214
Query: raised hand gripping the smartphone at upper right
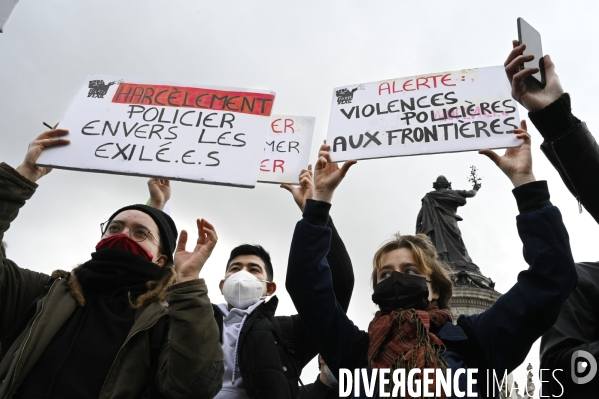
column 532, row 97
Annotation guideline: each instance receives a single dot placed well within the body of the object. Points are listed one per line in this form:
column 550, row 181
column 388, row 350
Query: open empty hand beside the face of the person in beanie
column 189, row 264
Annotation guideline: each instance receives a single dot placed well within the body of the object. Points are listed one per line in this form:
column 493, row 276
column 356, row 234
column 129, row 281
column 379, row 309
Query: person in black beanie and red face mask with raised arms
column 103, row 330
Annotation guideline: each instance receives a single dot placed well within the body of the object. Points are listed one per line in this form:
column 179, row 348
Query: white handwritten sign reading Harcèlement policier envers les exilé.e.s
column 171, row 131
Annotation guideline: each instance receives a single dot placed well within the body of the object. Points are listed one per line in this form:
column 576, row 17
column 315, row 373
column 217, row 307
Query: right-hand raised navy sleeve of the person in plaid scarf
column 505, row 332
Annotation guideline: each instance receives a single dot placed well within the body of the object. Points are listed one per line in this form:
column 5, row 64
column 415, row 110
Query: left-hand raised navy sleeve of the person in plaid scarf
column 310, row 285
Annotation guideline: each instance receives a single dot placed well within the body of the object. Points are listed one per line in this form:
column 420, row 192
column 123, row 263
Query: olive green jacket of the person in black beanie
column 190, row 363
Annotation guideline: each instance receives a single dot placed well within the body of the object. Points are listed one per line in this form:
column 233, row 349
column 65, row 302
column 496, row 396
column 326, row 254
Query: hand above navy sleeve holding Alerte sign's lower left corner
column 328, row 175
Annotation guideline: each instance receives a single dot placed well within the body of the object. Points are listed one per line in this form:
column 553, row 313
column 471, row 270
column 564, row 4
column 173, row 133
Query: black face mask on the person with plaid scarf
column 401, row 291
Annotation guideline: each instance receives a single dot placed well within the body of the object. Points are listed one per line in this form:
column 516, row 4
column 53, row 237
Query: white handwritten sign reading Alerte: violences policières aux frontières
column 456, row 111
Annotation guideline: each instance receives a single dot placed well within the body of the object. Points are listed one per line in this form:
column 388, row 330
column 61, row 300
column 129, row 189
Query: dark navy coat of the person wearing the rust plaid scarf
column 497, row 340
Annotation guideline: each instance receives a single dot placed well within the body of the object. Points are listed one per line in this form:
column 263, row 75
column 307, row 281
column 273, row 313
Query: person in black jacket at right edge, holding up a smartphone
column 572, row 150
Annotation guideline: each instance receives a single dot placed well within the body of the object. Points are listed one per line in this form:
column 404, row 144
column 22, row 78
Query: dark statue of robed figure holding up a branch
column 438, row 220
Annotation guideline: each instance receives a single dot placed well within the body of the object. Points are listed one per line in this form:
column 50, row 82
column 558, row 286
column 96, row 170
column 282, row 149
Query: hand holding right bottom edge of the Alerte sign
column 516, row 163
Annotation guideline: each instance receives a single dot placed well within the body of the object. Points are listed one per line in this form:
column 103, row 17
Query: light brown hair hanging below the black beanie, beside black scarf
column 156, row 288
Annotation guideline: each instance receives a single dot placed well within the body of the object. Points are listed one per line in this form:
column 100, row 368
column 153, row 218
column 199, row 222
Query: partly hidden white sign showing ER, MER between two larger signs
column 287, row 149
